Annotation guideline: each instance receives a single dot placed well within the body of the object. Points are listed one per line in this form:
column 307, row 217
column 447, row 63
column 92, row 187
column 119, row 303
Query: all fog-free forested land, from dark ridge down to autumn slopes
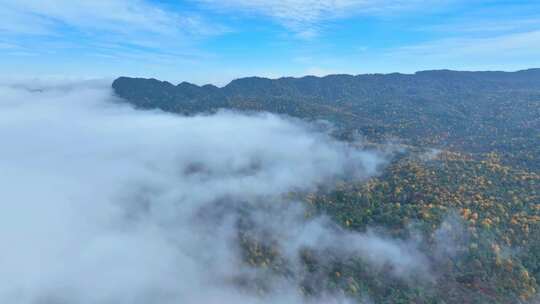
column 465, row 181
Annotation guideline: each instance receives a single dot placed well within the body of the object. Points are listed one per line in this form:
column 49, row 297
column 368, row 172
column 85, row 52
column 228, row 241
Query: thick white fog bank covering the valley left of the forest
column 105, row 204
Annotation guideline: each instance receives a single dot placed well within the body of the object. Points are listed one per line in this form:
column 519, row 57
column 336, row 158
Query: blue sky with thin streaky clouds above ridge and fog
column 215, row 41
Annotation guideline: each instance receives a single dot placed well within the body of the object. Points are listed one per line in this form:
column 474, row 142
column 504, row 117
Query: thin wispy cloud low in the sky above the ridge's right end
column 507, row 51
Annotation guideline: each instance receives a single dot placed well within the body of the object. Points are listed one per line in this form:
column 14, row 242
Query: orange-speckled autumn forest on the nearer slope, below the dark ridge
column 493, row 231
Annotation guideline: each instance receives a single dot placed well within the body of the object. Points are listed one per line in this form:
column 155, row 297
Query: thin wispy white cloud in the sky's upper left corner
column 88, row 23
